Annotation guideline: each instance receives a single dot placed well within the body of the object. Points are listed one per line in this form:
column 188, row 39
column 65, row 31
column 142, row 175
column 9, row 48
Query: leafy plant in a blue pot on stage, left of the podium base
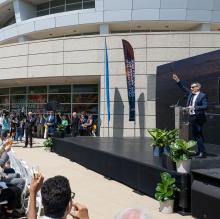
column 162, row 138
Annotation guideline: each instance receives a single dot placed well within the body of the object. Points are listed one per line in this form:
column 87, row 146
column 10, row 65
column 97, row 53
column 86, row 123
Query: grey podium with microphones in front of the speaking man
column 182, row 122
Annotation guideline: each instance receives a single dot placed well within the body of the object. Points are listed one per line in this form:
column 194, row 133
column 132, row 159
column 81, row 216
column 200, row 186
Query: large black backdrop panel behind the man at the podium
column 204, row 69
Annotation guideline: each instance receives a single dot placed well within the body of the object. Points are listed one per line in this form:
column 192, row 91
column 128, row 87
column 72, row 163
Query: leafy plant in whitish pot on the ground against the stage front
column 165, row 192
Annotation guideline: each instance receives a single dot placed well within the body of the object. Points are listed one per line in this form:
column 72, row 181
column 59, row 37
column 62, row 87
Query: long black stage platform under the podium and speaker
column 130, row 161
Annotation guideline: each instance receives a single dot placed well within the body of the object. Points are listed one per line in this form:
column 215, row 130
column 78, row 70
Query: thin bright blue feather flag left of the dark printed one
column 107, row 83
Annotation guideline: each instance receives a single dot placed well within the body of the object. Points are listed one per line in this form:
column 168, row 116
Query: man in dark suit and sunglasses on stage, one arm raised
column 197, row 103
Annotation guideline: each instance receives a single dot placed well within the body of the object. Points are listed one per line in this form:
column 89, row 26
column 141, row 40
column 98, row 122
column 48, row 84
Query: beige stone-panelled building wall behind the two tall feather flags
column 81, row 60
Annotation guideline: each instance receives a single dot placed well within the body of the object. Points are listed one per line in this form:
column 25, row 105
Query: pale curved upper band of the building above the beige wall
column 119, row 16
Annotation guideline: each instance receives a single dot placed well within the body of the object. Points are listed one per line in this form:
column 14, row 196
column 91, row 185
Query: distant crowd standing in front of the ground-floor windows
column 40, row 125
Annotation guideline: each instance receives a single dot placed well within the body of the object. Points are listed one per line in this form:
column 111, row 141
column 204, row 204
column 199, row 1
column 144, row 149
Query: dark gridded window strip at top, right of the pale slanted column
column 57, row 6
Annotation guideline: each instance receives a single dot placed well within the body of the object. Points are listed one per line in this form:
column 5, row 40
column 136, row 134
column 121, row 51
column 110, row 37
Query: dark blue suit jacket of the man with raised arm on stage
column 201, row 103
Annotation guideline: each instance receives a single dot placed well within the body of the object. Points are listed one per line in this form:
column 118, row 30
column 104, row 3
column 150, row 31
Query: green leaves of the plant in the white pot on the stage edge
column 182, row 150
